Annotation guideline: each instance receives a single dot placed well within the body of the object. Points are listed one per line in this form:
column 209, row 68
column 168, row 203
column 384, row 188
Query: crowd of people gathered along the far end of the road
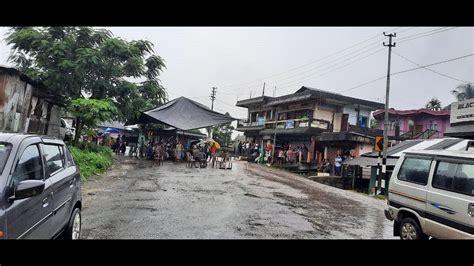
column 199, row 155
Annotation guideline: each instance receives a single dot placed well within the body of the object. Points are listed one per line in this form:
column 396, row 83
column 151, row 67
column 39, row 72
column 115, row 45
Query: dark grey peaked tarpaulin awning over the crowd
column 185, row 114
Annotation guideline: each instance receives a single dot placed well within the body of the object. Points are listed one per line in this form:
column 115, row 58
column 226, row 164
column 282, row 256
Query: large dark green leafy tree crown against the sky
column 80, row 62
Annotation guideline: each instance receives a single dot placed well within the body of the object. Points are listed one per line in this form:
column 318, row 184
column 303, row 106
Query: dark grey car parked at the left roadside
column 40, row 189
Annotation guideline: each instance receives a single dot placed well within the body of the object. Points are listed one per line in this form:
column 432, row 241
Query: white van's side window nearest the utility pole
column 415, row 170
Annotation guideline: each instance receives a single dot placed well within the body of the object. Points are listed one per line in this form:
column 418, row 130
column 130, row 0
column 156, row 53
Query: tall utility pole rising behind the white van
column 386, row 122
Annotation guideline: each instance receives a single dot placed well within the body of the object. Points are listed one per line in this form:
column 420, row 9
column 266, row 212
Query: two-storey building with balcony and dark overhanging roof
column 337, row 122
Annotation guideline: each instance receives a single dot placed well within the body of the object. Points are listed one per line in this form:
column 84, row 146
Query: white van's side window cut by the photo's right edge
column 455, row 177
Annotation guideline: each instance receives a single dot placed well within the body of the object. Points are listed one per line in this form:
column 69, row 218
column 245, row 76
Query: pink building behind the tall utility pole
column 414, row 124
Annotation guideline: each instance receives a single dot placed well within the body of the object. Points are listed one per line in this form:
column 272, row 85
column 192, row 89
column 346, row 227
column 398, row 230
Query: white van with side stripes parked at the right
column 431, row 193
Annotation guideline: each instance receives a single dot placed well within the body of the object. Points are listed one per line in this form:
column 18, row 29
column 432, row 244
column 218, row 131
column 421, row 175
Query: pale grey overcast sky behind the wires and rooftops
column 198, row 58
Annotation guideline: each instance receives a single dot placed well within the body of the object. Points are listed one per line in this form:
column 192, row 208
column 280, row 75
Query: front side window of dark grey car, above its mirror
column 29, row 166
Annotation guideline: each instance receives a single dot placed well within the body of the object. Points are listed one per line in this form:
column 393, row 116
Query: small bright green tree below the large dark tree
column 90, row 112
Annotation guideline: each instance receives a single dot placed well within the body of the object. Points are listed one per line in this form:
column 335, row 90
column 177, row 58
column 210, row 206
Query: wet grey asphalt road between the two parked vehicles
column 138, row 201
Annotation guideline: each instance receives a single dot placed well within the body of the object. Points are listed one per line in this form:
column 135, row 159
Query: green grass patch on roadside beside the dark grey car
column 91, row 158
